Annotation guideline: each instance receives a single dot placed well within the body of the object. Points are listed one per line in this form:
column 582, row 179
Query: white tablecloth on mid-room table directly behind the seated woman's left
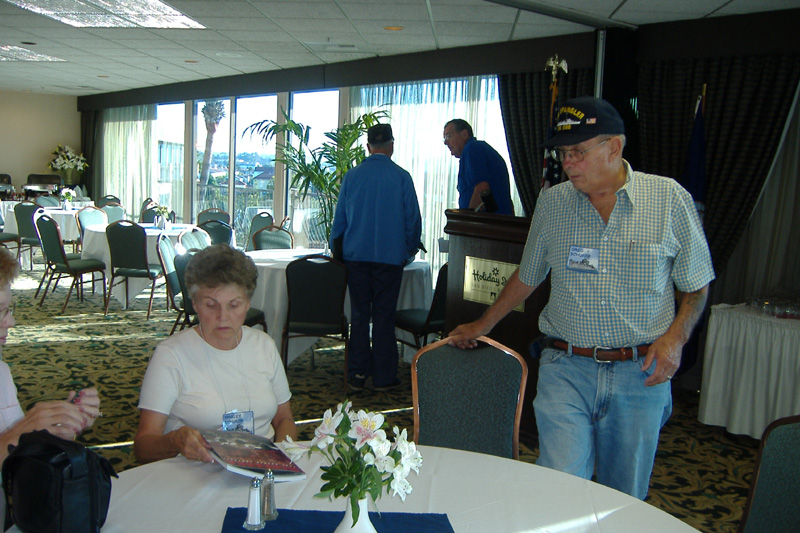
column 95, row 246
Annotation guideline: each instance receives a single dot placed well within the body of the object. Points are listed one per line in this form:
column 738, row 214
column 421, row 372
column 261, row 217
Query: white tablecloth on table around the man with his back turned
column 271, row 297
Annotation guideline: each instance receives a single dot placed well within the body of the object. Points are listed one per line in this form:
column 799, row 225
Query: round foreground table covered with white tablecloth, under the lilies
column 477, row 492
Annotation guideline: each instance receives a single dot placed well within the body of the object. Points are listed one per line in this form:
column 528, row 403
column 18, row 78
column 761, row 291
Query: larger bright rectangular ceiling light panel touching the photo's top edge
column 110, row 13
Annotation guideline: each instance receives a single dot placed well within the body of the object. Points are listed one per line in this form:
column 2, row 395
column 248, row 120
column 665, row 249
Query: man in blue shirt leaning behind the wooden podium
column 480, row 169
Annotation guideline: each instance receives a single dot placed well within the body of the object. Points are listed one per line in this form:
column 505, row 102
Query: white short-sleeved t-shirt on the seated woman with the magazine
column 195, row 384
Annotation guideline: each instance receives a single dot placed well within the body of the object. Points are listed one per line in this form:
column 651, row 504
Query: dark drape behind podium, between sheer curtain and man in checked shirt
column 525, row 106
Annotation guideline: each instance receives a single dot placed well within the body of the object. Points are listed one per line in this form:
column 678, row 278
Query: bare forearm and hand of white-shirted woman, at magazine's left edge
column 152, row 444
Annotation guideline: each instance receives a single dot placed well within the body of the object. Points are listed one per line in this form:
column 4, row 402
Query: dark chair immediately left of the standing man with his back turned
column 316, row 286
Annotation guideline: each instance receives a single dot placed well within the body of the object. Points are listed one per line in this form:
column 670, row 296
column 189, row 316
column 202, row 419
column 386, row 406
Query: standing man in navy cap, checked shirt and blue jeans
column 616, row 243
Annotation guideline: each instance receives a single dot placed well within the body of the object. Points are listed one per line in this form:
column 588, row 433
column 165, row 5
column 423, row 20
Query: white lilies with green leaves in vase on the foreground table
column 361, row 460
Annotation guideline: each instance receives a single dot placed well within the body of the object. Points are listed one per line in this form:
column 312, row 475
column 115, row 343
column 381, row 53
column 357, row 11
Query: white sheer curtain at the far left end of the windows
column 130, row 155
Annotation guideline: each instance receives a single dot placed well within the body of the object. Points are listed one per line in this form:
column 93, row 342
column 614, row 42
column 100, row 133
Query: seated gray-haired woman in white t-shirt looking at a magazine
column 216, row 375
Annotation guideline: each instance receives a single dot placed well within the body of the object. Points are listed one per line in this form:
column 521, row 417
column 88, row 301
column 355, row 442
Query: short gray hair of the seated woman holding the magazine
column 220, row 265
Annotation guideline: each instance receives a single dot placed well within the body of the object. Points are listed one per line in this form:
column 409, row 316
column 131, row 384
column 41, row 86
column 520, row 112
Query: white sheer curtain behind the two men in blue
column 418, row 112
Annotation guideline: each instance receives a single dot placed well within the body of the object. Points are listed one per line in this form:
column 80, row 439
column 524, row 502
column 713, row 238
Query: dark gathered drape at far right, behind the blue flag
column 747, row 105
